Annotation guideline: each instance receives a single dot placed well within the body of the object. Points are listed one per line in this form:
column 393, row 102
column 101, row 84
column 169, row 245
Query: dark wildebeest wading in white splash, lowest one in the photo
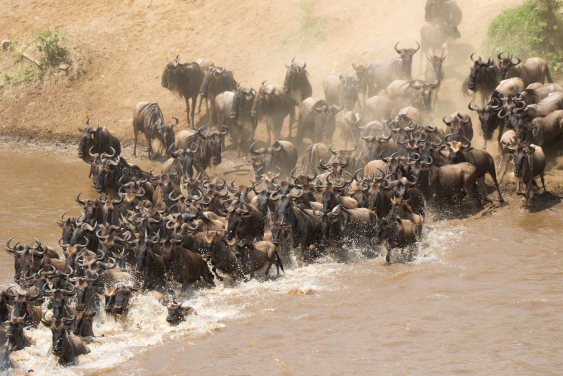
column 66, row 347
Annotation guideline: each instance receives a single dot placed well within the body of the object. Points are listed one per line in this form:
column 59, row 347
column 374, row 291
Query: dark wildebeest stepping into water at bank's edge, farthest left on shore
column 96, row 140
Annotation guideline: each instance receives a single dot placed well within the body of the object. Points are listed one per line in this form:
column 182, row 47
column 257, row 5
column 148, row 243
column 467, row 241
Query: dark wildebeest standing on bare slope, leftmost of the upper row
column 184, row 80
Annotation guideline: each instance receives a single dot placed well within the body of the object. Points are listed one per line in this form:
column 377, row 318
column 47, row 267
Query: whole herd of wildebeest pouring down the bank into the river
column 151, row 232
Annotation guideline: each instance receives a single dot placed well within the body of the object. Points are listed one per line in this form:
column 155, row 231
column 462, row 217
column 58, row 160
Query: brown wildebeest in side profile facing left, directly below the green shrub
column 533, row 70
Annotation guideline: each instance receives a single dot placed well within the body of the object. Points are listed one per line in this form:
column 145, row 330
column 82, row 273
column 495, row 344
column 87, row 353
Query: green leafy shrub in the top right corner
column 531, row 29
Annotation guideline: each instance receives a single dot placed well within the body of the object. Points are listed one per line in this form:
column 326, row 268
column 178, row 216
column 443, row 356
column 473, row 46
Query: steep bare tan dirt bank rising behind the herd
column 128, row 43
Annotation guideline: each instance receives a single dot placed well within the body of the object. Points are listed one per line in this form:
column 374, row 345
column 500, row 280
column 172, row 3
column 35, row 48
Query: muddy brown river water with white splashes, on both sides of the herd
column 483, row 297
